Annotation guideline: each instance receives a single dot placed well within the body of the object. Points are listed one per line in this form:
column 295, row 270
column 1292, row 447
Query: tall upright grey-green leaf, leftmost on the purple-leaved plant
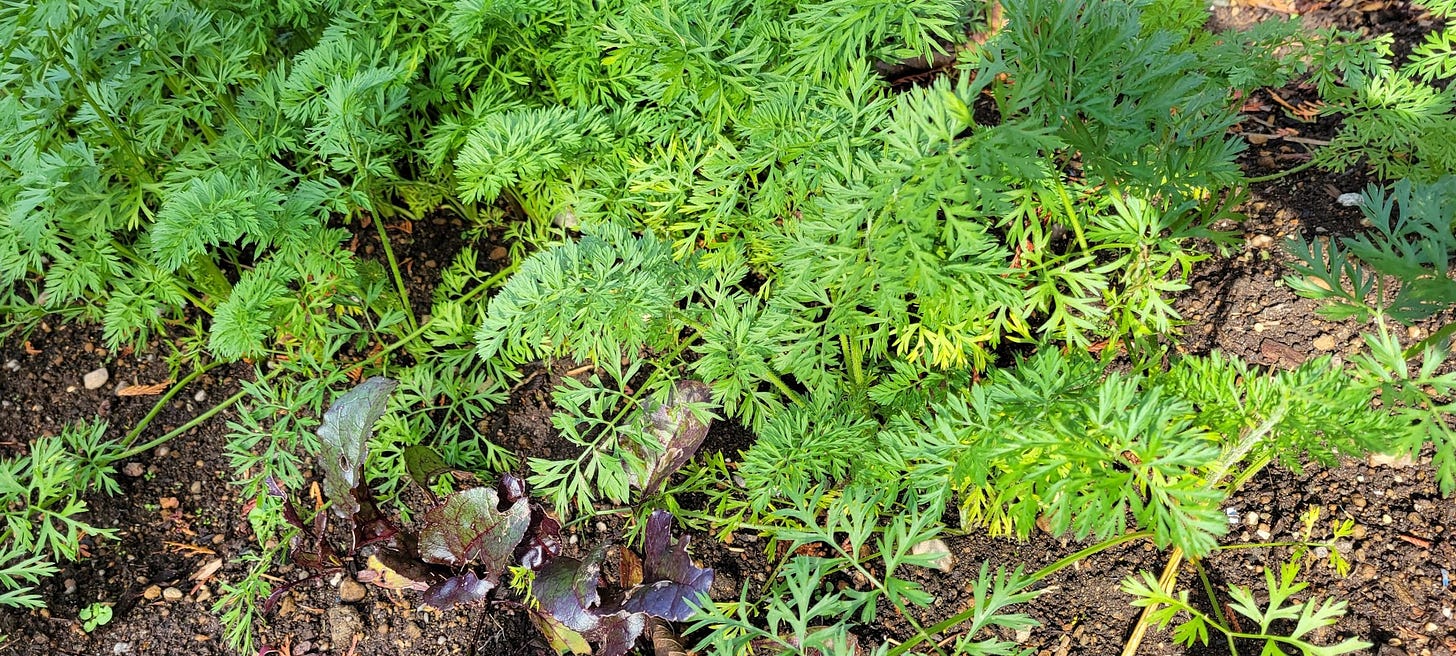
column 344, row 437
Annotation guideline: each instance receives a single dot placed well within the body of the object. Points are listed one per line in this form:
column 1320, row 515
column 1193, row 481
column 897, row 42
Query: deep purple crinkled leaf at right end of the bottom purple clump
column 672, row 583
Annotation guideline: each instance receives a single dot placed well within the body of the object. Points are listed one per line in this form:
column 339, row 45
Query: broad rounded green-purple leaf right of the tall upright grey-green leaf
column 471, row 527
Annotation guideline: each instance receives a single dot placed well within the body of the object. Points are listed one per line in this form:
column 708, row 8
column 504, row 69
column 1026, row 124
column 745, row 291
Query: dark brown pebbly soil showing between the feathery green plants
column 181, row 513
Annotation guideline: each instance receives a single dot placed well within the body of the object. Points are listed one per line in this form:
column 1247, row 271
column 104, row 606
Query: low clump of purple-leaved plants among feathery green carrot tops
column 472, row 537
